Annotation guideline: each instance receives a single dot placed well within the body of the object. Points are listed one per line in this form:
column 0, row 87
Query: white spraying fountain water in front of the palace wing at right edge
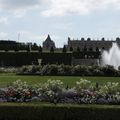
column 112, row 57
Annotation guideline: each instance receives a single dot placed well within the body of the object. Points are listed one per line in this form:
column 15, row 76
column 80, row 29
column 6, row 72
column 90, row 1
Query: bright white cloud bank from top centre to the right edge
column 80, row 7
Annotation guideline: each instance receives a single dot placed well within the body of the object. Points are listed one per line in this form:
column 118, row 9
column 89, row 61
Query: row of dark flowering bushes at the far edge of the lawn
column 78, row 70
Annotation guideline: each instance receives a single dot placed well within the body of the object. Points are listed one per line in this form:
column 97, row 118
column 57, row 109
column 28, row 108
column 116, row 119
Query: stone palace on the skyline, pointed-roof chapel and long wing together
column 83, row 44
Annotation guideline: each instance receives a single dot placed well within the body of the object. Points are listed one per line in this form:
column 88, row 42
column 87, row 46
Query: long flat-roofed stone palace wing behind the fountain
column 91, row 45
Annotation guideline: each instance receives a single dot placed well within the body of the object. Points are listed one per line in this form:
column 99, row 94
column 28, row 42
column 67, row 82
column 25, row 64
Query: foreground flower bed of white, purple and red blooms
column 84, row 92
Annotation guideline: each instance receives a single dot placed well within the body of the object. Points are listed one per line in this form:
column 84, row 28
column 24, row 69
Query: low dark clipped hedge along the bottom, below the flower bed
column 26, row 111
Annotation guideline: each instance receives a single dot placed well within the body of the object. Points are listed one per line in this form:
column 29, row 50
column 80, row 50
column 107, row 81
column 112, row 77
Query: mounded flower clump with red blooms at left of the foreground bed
column 18, row 91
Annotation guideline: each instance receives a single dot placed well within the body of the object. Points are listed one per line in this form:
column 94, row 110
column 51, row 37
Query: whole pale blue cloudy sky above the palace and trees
column 32, row 20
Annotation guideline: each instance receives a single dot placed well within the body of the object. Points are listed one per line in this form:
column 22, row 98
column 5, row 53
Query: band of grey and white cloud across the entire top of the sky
column 57, row 7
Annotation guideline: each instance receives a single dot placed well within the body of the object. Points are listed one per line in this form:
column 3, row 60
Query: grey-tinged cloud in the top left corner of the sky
column 18, row 7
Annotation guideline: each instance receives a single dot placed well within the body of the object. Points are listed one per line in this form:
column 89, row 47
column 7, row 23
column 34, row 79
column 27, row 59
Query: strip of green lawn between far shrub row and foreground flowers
column 6, row 79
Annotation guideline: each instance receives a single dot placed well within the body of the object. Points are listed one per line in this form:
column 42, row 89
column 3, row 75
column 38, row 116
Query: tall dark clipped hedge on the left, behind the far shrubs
column 27, row 58
